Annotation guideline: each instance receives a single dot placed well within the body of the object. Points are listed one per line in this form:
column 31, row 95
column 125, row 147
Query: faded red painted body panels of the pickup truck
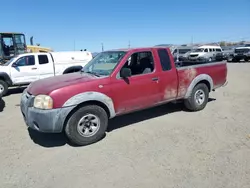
column 141, row 92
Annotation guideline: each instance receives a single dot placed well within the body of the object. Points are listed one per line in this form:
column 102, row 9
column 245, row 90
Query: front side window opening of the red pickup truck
column 140, row 63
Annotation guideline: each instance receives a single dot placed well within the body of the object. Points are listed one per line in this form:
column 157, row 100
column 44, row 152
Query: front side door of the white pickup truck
column 24, row 70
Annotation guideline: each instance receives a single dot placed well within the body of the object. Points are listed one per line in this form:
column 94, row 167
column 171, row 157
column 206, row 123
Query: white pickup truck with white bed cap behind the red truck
column 26, row 68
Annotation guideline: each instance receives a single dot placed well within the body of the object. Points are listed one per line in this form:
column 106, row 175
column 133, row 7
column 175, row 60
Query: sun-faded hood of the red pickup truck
column 47, row 85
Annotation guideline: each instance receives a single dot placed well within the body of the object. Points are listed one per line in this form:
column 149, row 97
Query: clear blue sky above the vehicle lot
column 79, row 24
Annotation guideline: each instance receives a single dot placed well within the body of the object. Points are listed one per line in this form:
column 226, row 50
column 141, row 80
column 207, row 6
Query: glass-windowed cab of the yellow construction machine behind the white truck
column 11, row 44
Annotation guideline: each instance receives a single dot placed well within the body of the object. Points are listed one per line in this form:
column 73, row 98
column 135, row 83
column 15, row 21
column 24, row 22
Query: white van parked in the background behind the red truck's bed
column 205, row 53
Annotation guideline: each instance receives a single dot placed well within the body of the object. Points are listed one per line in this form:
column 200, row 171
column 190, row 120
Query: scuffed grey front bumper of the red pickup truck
column 50, row 121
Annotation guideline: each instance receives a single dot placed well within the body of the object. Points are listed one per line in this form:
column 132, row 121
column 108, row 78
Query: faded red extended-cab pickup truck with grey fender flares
column 116, row 82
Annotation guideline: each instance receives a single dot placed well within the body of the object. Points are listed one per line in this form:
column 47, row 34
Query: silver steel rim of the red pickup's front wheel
column 88, row 125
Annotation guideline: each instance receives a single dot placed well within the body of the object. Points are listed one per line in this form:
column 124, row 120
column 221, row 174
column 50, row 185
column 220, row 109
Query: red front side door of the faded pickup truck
column 139, row 91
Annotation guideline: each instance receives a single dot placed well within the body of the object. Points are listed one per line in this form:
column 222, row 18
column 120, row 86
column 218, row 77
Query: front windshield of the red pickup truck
column 104, row 63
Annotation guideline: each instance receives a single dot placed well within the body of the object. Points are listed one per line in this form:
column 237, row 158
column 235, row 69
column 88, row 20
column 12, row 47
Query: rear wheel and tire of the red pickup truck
column 192, row 104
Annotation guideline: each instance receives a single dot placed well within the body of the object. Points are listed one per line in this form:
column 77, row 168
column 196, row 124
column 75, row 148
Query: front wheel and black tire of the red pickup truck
column 74, row 129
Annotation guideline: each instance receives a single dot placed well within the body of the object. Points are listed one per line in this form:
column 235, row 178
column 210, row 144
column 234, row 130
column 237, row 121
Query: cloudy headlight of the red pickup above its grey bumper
column 43, row 102
